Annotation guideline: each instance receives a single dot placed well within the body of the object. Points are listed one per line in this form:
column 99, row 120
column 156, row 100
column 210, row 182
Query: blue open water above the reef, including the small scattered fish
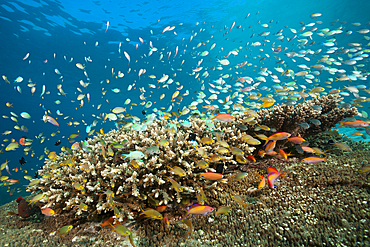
column 49, row 47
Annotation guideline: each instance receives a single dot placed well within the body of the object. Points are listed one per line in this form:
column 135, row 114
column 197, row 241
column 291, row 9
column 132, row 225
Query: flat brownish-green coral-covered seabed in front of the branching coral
column 322, row 204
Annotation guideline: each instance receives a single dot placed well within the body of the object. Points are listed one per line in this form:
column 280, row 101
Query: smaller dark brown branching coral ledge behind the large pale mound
column 287, row 117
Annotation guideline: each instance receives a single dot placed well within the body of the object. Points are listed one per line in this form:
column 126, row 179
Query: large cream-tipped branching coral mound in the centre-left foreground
column 95, row 178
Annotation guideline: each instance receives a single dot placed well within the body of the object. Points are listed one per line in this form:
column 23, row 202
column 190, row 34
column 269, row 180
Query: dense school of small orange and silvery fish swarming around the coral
column 202, row 79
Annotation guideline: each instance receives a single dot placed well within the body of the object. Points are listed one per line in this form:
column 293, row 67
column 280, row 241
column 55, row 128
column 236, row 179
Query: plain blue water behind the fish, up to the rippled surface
column 58, row 31
